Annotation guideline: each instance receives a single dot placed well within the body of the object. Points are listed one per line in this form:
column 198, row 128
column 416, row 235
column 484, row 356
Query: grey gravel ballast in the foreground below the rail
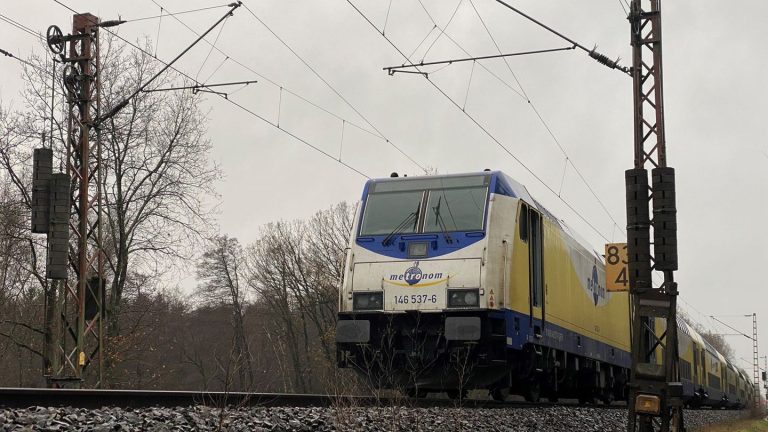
column 202, row 418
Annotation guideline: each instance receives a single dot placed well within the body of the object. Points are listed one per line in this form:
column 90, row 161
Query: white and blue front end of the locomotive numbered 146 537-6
column 414, row 302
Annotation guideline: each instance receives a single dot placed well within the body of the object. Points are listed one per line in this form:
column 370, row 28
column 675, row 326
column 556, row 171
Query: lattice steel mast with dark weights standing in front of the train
column 655, row 402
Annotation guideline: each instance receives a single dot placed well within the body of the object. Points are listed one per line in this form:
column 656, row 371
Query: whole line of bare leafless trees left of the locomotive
column 261, row 316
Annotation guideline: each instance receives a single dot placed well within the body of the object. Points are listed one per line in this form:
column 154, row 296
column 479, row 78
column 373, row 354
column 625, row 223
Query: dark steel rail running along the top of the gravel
column 78, row 398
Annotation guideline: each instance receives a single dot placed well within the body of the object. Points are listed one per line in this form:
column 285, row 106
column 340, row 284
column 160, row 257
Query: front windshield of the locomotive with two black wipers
column 429, row 205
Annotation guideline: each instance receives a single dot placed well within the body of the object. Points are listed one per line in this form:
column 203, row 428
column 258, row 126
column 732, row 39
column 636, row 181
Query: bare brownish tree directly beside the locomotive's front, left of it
column 296, row 268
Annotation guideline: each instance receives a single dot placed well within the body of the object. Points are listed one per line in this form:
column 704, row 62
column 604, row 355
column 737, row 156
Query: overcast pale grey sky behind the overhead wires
column 715, row 95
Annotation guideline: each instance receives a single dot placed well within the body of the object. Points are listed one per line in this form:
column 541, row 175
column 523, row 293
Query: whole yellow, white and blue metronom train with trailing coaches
column 460, row 282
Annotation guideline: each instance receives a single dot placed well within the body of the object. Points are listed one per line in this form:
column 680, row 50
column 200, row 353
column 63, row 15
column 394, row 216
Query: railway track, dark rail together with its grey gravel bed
column 130, row 410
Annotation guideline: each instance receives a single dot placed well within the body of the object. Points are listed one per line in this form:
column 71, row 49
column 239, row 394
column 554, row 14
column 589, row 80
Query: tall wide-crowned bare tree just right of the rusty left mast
column 158, row 172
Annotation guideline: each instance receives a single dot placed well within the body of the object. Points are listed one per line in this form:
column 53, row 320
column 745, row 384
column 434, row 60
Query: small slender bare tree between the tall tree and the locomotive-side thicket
column 219, row 274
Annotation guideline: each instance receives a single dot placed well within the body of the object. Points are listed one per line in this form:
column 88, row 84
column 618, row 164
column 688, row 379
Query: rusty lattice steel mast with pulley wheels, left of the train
column 78, row 323
